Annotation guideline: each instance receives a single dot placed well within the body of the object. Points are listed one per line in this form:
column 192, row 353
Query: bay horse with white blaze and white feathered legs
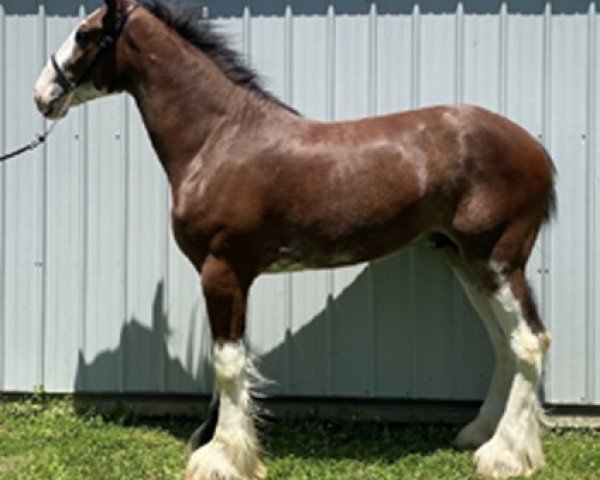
column 256, row 187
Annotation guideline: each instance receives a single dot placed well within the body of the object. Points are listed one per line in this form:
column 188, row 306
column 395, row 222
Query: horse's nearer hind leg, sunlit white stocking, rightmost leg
column 515, row 448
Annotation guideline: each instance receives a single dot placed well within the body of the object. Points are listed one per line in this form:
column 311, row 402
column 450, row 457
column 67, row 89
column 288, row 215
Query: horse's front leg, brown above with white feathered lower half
column 233, row 450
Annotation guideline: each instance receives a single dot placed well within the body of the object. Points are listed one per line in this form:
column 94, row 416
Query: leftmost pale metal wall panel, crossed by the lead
column 23, row 205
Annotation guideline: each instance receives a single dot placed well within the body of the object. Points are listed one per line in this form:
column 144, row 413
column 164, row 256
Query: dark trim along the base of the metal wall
column 331, row 408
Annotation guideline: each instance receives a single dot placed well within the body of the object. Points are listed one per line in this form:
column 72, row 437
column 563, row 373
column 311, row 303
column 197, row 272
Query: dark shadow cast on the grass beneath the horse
column 312, row 438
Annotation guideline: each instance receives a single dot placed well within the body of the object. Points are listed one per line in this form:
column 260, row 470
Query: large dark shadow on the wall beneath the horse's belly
column 401, row 328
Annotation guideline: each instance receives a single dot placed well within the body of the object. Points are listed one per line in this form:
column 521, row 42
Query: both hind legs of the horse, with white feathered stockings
column 493, row 276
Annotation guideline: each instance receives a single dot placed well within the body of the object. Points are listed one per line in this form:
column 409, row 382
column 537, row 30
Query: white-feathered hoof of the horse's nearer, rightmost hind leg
column 499, row 459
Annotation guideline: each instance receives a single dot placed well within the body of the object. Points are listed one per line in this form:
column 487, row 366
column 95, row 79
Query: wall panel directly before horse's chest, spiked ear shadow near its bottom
column 146, row 326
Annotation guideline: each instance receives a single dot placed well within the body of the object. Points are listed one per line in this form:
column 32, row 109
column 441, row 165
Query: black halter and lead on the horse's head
column 69, row 85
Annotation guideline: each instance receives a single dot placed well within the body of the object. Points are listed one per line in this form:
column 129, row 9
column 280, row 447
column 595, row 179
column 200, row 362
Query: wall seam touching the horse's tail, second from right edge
column 547, row 141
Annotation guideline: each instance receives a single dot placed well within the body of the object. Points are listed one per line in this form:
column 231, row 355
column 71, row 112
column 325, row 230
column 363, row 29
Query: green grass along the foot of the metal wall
column 52, row 440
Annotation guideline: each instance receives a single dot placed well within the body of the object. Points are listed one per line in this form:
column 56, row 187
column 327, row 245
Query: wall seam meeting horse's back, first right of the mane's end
column 330, row 114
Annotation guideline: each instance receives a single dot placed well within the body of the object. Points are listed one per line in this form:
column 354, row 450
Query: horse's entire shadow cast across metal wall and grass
column 142, row 361
